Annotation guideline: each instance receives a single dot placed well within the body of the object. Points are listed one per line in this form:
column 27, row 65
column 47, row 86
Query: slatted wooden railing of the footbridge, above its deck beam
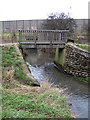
column 38, row 36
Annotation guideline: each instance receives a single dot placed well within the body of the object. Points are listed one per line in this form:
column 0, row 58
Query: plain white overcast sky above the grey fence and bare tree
column 40, row 9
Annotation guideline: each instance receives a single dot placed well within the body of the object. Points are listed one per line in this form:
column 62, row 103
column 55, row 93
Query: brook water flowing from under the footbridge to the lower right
column 41, row 66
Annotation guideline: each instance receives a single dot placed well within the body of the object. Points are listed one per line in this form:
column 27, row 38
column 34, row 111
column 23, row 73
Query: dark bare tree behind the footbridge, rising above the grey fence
column 59, row 21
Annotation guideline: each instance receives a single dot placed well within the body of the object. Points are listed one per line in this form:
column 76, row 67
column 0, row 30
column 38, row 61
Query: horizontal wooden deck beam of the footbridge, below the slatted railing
column 42, row 44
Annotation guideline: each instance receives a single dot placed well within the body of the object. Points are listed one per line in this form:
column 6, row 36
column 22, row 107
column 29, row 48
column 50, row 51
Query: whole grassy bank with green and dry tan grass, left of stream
column 21, row 100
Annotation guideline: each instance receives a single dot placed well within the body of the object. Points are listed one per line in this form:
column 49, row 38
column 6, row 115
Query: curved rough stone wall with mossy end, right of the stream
column 76, row 60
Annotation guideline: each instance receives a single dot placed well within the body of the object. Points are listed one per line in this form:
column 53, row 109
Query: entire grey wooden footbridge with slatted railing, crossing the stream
column 43, row 38
